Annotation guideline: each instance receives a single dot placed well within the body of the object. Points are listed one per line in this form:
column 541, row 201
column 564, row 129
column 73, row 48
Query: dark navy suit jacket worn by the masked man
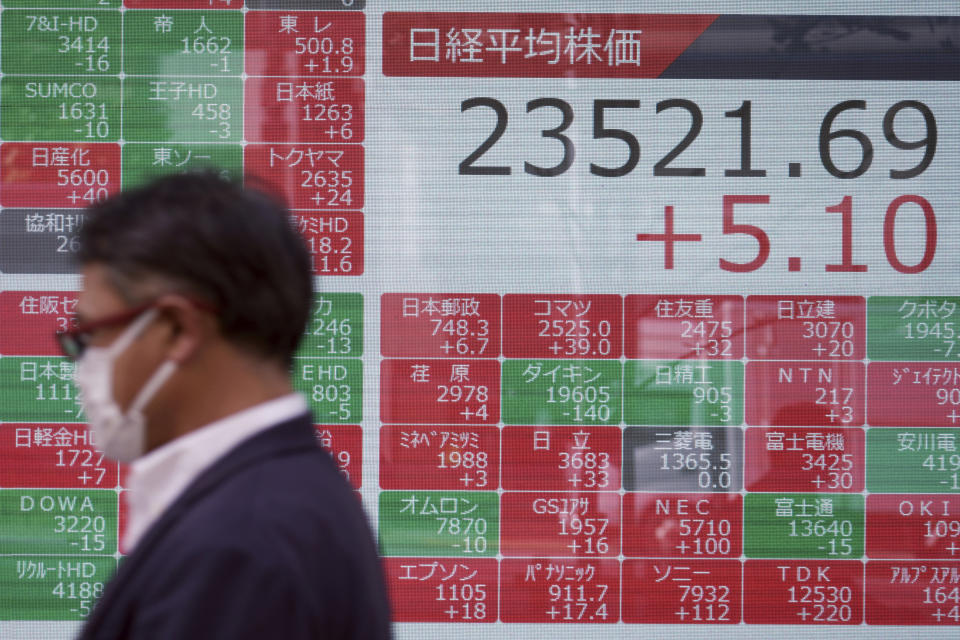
column 269, row 542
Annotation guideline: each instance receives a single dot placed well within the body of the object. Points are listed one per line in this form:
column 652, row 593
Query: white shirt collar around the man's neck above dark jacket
column 157, row 479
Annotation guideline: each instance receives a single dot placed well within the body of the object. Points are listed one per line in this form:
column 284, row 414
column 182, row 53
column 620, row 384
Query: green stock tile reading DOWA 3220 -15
column 70, row 521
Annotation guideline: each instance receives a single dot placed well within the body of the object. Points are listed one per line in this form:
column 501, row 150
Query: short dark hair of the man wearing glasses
column 205, row 238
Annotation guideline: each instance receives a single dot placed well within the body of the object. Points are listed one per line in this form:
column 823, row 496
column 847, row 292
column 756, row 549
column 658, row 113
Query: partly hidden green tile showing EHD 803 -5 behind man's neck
column 333, row 388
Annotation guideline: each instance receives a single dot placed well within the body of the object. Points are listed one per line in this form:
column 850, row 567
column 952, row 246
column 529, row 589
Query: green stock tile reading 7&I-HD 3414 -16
column 41, row 41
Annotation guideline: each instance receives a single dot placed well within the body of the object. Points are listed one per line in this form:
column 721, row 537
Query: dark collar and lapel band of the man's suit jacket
column 295, row 434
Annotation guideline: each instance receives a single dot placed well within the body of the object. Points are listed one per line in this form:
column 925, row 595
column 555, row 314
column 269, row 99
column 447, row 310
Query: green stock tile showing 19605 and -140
column 562, row 392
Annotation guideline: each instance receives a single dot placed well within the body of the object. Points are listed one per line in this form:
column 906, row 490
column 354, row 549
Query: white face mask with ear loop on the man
column 121, row 436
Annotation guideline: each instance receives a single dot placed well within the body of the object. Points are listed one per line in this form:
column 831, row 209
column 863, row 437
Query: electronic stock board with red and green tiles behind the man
column 646, row 315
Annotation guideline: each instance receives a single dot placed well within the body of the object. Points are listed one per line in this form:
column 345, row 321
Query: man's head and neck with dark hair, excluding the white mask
column 225, row 281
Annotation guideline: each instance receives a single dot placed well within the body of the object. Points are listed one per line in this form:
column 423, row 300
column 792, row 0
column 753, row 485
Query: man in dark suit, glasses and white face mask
column 195, row 296
